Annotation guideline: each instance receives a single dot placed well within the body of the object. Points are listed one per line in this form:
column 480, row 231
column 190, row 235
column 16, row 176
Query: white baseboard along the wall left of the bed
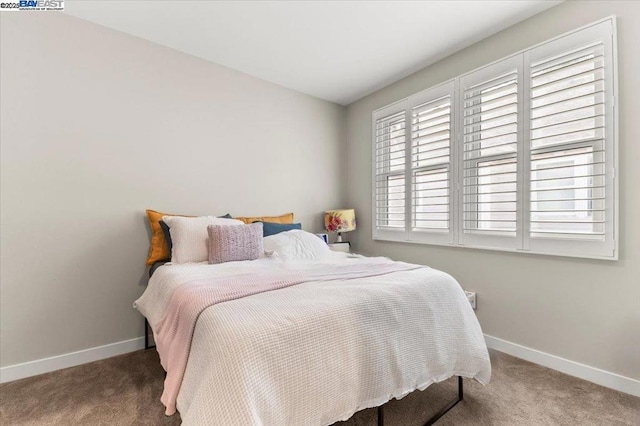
column 41, row 366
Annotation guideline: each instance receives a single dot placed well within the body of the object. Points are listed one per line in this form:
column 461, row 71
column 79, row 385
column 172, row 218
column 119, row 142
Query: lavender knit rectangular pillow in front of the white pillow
column 234, row 243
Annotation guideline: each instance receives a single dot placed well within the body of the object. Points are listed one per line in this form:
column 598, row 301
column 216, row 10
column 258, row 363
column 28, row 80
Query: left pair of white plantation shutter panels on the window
column 413, row 168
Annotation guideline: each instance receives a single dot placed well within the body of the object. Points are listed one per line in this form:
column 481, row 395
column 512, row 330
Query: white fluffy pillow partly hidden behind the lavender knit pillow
column 190, row 238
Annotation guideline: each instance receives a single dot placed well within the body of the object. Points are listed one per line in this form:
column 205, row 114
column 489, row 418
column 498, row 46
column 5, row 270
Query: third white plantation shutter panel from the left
column 490, row 102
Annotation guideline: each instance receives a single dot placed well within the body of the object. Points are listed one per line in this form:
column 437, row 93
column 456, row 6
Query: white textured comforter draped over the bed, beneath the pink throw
column 317, row 352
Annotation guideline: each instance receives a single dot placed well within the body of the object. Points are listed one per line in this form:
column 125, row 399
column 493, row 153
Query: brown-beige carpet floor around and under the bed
column 125, row 390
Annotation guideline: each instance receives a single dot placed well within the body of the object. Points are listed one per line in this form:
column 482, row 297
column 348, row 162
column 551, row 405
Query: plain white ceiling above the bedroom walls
column 335, row 50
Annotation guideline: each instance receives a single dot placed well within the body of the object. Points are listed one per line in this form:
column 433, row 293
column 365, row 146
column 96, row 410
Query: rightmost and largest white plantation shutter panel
column 571, row 149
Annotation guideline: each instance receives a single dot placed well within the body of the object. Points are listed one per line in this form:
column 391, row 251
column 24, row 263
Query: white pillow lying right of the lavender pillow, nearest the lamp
column 297, row 244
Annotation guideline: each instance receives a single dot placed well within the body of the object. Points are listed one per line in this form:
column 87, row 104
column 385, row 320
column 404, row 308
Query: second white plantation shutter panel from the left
column 431, row 171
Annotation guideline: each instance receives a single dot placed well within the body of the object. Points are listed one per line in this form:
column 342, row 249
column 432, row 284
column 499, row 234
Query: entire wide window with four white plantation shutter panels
column 518, row 155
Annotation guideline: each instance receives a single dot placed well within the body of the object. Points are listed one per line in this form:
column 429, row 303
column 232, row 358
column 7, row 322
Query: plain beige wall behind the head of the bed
column 97, row 126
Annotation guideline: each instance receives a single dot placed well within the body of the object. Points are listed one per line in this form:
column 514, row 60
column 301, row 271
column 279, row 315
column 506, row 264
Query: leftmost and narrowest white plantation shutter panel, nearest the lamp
column 390, row 152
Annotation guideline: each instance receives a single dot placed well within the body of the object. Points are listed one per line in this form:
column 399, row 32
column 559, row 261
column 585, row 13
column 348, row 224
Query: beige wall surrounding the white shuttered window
column 584, row 310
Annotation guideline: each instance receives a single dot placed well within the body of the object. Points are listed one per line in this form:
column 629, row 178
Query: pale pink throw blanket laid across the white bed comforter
column 174, row 331
